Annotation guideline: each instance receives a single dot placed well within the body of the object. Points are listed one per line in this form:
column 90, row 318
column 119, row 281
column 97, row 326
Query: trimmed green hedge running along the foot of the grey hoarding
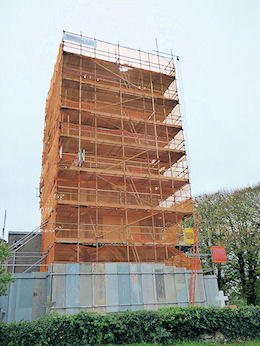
column 163, row 326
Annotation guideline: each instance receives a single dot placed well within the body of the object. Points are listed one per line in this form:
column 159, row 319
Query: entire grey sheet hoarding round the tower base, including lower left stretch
column 103, row 287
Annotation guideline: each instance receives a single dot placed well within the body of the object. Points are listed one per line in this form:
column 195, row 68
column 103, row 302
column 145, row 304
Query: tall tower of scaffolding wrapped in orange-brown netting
column 114, row 185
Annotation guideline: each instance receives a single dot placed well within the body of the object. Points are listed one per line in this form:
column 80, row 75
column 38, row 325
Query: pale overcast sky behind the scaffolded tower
column 218, row 42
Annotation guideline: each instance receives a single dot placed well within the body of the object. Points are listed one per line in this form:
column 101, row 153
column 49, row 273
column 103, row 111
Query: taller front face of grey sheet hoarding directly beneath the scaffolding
column 114, row 287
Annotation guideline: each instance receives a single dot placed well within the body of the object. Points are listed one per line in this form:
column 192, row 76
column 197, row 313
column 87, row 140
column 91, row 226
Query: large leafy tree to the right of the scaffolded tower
column 232, row 219
